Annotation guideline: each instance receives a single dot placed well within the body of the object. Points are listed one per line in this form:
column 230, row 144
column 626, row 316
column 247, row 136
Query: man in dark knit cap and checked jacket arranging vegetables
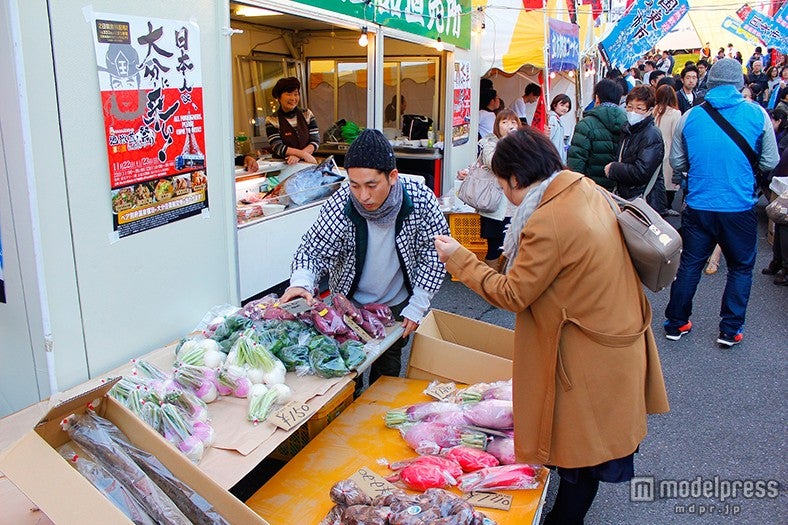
column 375, row 239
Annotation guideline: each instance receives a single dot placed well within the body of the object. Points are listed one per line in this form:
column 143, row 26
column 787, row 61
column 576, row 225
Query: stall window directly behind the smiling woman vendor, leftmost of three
column 258, row 76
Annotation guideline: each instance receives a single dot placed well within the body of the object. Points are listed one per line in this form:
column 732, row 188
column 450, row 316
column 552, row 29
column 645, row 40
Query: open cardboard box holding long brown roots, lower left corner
column 34, row 465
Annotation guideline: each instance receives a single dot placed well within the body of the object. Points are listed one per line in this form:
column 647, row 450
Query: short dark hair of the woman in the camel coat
column 528, row 155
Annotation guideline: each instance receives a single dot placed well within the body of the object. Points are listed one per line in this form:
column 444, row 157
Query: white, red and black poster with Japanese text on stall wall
column 150, row 80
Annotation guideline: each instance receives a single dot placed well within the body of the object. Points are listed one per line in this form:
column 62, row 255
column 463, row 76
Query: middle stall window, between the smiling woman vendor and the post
column 338, row 90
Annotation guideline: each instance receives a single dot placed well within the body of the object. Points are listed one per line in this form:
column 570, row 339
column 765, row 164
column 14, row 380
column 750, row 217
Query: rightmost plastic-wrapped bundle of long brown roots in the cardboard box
column 193, row 505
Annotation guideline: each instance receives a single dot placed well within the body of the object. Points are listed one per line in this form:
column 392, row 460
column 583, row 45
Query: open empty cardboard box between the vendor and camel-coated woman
column 450, row 347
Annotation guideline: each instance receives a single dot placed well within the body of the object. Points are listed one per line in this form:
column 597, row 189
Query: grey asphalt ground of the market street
column 728, row 409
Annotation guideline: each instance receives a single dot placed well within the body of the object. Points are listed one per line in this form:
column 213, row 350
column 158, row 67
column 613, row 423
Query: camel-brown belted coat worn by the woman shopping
column 586, row 368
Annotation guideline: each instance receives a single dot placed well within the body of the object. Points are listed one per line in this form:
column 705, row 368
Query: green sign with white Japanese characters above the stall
column 449, row 20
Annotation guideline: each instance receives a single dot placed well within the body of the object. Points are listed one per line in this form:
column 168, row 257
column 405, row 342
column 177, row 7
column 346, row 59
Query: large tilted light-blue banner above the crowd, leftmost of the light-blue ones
column 640, row 29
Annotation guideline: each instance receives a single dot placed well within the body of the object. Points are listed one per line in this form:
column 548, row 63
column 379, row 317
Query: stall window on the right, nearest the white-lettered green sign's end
column 410, row 86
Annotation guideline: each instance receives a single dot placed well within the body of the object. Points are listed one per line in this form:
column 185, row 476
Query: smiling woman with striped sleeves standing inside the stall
column 292, row 132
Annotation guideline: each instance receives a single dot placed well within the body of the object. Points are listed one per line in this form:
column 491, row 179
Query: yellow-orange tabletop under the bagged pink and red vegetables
column 298, row 494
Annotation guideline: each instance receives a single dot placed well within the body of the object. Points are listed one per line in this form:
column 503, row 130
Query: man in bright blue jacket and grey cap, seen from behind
column 721, row 197
